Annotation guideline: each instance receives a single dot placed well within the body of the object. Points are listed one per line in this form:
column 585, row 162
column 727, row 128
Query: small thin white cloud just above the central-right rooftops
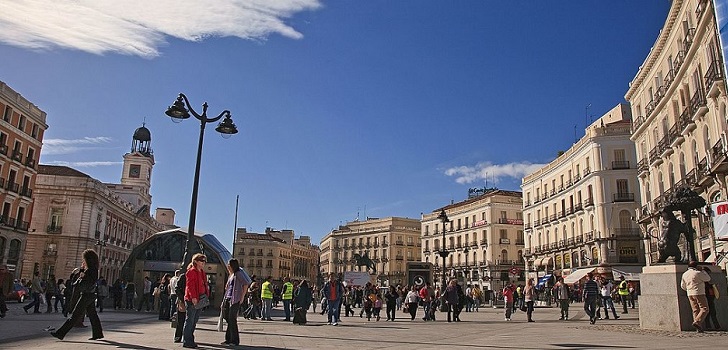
column 490, row 171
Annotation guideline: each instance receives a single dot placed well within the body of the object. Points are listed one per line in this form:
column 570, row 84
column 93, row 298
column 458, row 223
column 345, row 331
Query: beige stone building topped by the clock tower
column 74, row 212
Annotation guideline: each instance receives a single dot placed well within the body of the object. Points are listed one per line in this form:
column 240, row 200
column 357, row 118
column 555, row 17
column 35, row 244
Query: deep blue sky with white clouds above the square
column 345, row 109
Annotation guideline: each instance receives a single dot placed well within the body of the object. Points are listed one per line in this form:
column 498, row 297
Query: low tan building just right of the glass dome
column 276, row 253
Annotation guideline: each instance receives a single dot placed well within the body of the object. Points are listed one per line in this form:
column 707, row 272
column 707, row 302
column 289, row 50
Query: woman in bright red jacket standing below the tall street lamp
column 196, row 290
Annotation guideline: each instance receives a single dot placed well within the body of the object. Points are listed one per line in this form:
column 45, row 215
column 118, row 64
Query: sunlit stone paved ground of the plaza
column 485, row 329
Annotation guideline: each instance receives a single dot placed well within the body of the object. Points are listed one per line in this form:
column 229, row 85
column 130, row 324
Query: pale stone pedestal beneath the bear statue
column 663, row 305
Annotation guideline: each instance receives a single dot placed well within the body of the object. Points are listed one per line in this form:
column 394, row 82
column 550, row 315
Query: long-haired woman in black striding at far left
column 85, row 287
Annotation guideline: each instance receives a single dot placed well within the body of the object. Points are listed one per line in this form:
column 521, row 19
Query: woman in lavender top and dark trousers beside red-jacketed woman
column 235, row 289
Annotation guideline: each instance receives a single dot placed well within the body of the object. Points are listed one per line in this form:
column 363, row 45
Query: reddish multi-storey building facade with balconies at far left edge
column 21, row 138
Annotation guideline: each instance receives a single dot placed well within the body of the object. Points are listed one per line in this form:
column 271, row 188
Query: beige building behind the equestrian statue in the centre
column 390, row 242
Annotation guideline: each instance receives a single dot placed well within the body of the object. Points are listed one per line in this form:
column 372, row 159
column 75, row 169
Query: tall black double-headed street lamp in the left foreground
column 181, row 109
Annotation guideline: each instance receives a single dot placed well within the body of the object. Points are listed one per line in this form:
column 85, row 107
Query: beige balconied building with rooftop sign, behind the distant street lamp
column 484, row 238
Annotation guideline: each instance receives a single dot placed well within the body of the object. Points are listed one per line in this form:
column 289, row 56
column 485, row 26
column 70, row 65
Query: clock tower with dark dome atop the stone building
column 136, row 177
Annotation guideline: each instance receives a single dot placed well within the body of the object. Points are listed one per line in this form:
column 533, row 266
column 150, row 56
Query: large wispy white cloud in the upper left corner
column 139, row 27
